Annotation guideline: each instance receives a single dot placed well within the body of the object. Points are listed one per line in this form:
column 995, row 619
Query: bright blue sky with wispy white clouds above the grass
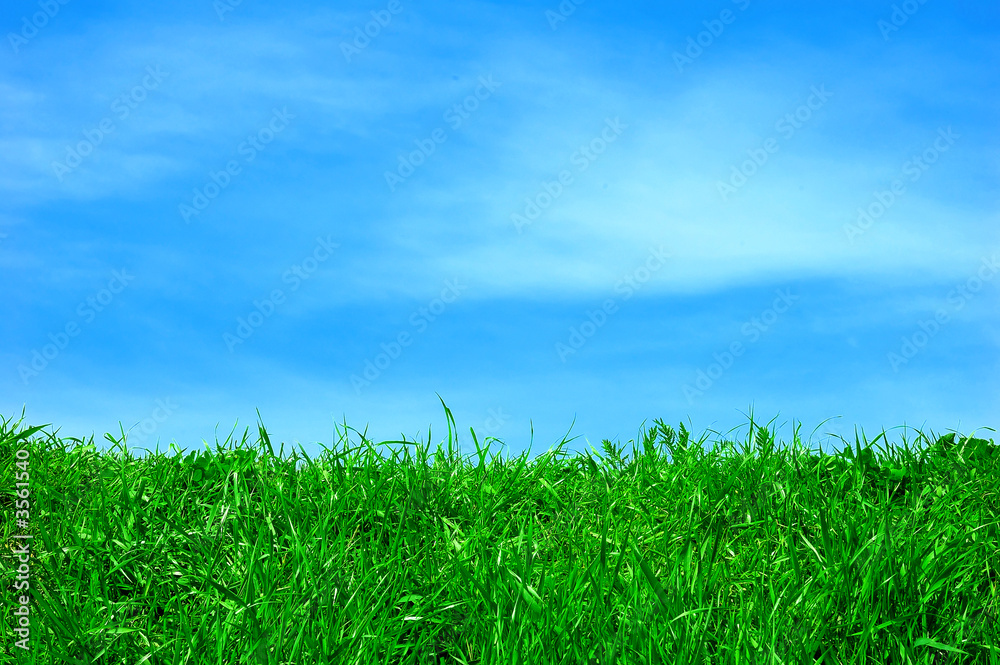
column 542, row 212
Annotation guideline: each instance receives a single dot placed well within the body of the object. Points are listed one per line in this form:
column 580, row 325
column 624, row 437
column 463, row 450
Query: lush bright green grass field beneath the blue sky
column 676, row 553
